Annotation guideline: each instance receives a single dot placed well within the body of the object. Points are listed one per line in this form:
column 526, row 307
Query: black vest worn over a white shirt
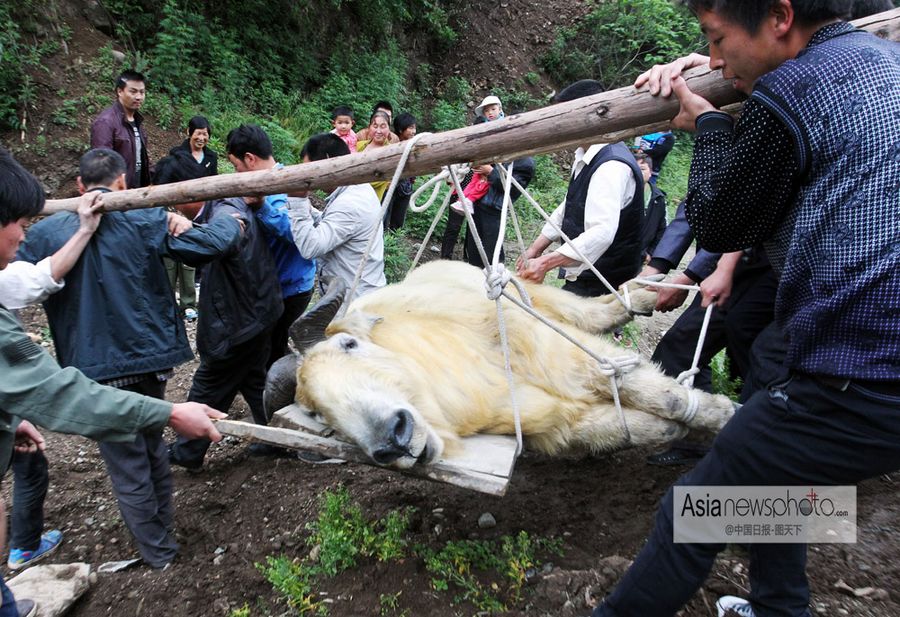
column 622, row 260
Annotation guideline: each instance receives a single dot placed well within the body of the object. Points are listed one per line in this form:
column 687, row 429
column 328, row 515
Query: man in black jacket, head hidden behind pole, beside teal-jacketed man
column 240, row 303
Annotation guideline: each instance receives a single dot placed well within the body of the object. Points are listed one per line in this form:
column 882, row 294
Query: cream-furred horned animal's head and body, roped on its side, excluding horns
column 426, row 352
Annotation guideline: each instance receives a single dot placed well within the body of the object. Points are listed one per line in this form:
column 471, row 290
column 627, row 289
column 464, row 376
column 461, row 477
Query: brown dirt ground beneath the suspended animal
column 239, row 510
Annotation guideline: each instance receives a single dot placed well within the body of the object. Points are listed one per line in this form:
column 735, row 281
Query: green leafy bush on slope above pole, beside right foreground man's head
column 619, row 39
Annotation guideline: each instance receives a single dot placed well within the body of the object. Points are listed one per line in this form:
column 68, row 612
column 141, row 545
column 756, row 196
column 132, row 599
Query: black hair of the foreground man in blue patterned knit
column 749, row 14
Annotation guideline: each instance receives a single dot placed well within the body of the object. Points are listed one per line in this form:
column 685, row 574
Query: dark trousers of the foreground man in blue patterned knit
column 800, row 432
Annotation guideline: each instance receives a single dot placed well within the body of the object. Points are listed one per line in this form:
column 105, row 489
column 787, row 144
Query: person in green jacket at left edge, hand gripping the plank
column 33, row 387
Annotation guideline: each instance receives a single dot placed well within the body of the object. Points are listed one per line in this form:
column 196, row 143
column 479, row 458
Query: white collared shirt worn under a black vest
column 611, row 189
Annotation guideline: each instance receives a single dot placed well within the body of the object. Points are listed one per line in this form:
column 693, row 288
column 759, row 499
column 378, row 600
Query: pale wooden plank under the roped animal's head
column 485, row 464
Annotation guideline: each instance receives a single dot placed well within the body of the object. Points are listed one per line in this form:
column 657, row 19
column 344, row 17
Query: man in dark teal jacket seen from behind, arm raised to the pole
column 116, row 320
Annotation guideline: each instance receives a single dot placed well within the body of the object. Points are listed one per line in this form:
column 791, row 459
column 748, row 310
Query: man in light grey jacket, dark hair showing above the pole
column 338, row 237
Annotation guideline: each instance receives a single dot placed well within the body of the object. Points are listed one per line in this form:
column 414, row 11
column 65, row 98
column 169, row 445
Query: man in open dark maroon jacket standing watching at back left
column 120, row 128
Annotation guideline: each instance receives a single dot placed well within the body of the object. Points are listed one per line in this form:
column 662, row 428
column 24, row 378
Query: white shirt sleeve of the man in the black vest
column 611, row 189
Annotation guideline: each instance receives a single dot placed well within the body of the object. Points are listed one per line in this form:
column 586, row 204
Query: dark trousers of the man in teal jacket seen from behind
column 142, row 482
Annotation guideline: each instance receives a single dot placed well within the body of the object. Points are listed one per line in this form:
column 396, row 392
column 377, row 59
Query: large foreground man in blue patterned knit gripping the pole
column 805, row 172
